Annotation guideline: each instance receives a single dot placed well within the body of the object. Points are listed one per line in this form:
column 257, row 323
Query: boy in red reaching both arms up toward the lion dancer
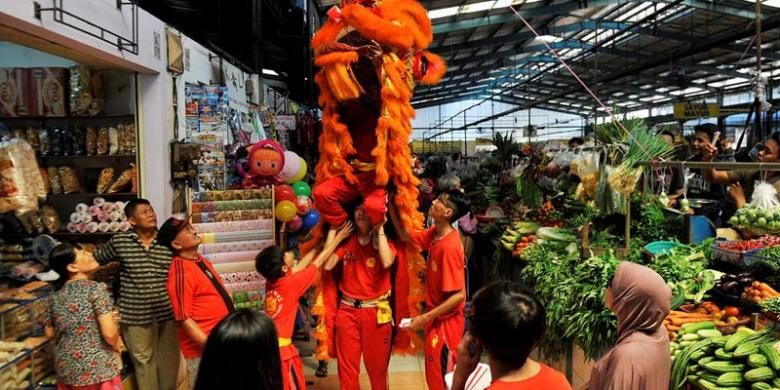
column 285, row 284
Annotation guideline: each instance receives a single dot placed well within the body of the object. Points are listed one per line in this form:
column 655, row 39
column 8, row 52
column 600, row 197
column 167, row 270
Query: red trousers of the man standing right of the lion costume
column 442, row 337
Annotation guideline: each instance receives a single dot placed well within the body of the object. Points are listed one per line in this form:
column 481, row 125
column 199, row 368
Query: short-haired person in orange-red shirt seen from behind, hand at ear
column 507, row 322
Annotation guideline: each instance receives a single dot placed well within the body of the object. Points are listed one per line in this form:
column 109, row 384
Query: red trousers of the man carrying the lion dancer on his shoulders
column 358, row 333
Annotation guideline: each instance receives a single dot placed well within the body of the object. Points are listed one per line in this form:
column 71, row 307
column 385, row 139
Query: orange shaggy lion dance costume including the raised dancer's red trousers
column 371, row 54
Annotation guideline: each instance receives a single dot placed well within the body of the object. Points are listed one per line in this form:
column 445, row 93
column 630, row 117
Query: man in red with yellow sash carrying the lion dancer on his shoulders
column 364, row 321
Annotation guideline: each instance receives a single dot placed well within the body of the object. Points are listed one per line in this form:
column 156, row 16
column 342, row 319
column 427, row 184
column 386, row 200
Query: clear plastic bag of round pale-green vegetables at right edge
column 762, row 214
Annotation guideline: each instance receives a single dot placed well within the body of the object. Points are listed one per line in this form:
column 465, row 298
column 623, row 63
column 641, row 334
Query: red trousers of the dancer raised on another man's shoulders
column 331, row 195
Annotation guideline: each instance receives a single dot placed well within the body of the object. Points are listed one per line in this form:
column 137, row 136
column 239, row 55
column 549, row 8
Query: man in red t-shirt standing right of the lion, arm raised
column 446, row 284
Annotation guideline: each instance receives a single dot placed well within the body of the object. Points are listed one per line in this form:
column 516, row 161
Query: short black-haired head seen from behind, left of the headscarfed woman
column 508, row 321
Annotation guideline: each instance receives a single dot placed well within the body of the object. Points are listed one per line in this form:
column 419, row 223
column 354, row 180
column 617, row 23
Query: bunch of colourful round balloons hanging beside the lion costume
column 293, row 202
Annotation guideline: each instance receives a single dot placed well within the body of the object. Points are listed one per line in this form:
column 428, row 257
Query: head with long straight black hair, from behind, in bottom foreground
column 242, row 353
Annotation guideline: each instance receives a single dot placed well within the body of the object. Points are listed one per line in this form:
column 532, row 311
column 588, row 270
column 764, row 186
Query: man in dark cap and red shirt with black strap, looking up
column 198, row 297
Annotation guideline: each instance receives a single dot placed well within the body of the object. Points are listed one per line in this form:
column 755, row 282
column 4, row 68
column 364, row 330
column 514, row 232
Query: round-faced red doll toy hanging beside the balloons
column 264, row 161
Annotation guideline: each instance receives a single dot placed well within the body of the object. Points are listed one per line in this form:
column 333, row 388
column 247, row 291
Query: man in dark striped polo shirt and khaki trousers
column 145, row 312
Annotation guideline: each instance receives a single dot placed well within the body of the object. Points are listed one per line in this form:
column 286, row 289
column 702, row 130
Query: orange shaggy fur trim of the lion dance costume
column 404, row 26
